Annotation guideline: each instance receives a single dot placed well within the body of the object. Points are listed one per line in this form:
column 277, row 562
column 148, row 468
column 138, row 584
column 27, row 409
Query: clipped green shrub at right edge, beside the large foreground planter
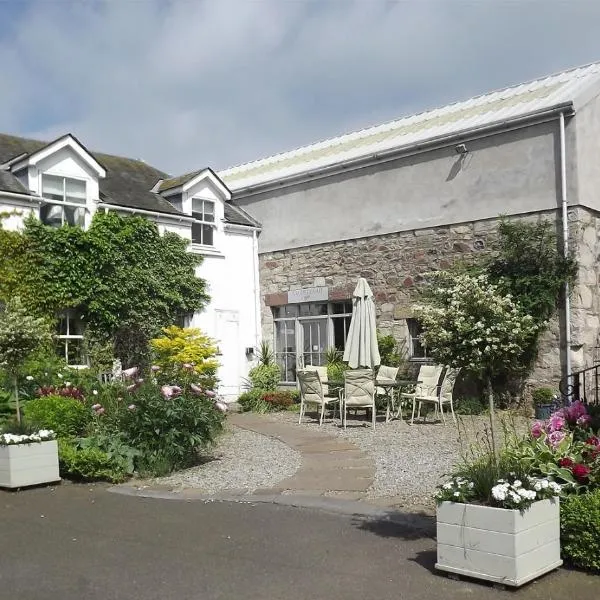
column 580, row 530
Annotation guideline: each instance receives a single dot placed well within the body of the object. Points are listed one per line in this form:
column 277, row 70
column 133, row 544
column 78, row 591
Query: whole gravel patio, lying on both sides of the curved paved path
column 409, row 460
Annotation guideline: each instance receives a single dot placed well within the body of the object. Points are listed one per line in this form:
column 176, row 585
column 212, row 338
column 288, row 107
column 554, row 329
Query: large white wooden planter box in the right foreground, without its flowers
column 498, row 544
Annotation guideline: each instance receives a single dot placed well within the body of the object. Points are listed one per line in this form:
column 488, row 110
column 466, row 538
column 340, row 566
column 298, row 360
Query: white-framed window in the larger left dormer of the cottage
column 65, row 201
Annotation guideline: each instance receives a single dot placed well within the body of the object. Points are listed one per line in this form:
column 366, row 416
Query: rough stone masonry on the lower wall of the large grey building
column 394, row 266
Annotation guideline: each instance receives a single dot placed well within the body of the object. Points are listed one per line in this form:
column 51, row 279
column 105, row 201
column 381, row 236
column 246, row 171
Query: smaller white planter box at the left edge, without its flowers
column 28, row 464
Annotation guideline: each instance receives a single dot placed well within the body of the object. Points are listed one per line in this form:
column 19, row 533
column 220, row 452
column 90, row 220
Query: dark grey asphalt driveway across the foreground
column 75, row 542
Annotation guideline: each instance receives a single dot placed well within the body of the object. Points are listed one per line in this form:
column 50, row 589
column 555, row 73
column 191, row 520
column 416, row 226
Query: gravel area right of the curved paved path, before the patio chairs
column 410, row 460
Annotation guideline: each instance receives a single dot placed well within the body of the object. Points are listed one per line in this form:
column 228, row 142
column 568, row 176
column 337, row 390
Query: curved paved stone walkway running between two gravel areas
column 330, row 467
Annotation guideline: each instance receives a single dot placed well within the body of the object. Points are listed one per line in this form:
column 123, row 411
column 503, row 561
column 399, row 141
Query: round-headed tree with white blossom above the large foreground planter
column 468, row 323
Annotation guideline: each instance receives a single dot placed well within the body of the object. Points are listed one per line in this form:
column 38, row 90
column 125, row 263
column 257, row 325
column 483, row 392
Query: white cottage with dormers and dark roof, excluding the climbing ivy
column 63, row 182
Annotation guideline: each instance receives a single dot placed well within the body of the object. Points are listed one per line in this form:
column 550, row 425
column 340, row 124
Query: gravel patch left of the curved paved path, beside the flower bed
column 241, row 460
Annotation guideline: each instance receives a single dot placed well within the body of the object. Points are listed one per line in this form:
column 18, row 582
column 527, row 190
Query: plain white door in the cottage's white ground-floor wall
column 228, row 333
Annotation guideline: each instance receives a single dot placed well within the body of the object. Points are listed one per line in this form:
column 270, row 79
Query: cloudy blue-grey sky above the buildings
column 184, row 84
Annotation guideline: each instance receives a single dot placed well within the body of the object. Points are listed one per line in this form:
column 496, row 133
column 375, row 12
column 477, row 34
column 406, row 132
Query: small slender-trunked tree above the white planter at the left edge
column 20, row 335
